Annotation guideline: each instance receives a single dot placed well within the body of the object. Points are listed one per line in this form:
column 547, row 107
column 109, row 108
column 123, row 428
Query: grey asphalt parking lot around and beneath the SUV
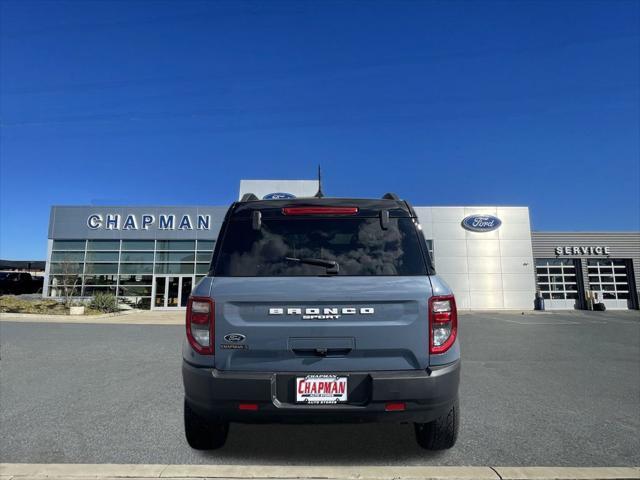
column 537, row 389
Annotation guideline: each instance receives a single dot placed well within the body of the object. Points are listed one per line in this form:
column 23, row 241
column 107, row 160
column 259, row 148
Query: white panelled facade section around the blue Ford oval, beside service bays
column 486, row 270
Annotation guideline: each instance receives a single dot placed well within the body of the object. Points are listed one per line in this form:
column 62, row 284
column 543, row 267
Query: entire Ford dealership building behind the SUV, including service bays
column 151, row 257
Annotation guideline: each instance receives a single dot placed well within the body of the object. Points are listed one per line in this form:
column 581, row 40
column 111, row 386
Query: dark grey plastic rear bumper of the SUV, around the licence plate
column 216, row 394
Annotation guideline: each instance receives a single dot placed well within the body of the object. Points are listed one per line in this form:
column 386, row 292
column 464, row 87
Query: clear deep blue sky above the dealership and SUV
column 446, row 103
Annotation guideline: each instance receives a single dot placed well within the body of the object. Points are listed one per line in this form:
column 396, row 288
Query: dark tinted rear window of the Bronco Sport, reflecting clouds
column 360, row 246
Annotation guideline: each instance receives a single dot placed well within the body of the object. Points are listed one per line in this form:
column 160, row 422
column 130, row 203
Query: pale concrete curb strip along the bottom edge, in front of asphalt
column 23, row 471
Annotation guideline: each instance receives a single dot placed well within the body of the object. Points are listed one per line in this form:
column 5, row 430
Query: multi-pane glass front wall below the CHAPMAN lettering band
column 141, row 273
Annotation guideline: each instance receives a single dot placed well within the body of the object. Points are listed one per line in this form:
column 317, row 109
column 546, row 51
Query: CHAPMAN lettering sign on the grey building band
column 114, row 221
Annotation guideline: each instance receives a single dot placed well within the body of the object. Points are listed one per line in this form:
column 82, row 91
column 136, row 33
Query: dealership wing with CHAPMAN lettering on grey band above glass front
column 149, row 257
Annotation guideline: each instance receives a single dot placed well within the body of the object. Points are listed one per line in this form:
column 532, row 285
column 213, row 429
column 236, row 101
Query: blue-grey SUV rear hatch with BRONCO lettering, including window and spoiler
column 321, row 288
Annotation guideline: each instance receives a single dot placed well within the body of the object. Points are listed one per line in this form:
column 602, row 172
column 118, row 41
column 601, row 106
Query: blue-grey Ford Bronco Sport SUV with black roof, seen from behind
column 321, row 310
